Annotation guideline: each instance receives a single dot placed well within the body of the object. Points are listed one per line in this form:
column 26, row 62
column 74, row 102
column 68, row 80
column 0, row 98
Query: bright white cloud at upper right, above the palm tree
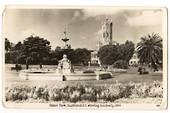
column 146, row 18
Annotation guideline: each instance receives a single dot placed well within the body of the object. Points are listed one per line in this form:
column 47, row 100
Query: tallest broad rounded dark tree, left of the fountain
column 35, row 48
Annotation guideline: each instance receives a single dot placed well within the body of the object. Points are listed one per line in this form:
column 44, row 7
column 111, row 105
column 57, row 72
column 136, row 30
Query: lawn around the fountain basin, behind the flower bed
column 131, row 76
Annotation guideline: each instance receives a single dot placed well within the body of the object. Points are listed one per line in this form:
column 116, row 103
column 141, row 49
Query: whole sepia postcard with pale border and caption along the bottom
column 84, row 57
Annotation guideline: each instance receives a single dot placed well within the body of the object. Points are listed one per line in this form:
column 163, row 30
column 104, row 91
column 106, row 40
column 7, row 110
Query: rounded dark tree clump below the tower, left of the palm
column 109, row 54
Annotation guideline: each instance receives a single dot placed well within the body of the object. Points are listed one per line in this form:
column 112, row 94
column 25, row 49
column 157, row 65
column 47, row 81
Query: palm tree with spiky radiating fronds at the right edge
column 149, row 50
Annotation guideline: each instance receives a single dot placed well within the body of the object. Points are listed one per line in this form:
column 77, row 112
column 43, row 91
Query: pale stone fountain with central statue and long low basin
column 64, row 72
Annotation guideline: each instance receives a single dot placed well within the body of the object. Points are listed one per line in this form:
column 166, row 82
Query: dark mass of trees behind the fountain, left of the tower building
column 36, row 50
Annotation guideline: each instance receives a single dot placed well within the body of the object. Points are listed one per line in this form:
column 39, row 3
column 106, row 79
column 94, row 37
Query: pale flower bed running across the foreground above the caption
column 77, row 93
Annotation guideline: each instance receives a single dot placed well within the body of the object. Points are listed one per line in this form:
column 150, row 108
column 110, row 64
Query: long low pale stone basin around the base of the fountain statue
column 53, row 75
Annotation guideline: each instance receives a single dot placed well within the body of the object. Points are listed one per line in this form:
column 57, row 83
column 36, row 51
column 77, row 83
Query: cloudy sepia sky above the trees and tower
column 83, row 25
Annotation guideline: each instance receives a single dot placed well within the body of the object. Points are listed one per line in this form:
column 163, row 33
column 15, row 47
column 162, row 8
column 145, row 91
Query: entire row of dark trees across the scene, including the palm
column 36, row 50
